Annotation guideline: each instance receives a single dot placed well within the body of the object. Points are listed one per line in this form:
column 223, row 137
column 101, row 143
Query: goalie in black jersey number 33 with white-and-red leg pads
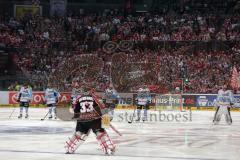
column 87, row 112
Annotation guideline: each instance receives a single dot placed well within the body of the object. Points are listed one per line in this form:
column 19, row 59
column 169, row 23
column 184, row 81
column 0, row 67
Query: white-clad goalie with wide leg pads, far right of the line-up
column 223, row 103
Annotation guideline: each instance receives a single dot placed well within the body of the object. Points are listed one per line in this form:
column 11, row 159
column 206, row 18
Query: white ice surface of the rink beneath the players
column 195, row 139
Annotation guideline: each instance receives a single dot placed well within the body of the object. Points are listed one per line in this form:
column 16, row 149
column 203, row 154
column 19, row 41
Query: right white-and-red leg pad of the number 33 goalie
column 105, row 142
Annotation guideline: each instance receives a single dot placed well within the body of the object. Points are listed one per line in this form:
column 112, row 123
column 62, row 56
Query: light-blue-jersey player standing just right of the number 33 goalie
column 111, row 100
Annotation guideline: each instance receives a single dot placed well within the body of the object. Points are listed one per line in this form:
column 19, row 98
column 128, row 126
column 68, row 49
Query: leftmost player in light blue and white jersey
column 24, row 97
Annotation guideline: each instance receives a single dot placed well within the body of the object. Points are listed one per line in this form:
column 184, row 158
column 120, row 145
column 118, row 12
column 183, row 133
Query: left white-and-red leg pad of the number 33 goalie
column 75, row 141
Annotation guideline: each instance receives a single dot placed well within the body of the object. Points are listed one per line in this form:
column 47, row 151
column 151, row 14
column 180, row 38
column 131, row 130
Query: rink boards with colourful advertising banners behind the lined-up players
column 126, row 101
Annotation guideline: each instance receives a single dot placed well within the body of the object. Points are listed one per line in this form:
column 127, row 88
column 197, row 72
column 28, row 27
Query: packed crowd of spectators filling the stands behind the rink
column 55, row 48
